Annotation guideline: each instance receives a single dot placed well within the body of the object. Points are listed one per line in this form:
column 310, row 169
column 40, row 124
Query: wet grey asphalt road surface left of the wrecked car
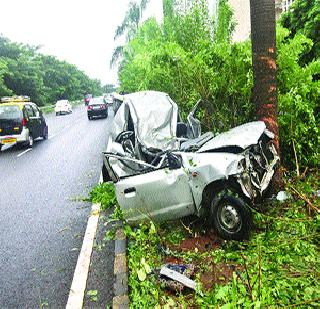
column 42, row 212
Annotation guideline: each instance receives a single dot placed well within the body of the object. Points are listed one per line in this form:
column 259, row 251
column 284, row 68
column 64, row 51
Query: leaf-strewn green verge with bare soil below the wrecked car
column 278, row 267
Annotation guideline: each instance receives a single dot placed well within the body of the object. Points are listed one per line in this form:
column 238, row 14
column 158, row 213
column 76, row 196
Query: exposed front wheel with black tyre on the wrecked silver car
column 231, row 218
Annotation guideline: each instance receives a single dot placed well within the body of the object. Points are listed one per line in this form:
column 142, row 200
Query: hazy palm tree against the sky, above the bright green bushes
column 129, row 26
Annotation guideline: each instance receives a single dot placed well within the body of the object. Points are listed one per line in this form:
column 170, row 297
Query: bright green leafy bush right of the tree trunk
column 299, row 98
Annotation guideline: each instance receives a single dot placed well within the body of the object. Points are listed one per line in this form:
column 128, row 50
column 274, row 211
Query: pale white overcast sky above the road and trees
column 78, row 31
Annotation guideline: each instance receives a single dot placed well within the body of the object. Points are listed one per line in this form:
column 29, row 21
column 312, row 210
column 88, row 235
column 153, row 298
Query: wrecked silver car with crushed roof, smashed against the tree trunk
column 164, row 169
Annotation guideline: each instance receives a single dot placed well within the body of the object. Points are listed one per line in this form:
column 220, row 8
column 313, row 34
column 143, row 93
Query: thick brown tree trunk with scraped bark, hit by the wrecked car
column 263, row 35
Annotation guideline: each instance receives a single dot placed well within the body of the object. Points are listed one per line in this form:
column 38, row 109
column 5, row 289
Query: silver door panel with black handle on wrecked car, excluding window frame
column 165, row 196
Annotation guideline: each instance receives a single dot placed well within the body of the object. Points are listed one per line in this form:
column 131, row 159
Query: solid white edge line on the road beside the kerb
column 79, row 282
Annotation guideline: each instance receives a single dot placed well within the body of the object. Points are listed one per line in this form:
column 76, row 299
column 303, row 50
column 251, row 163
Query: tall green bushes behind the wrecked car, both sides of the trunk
column 191, row 56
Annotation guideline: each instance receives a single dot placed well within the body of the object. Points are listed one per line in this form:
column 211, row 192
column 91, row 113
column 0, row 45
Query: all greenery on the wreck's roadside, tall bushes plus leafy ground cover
column 191, row 56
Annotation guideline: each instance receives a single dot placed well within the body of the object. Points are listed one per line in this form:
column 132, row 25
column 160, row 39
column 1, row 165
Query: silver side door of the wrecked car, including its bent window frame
column 157, row 194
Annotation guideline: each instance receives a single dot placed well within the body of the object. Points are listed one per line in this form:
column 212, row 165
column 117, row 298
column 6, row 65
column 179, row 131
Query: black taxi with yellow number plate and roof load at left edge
column 21, row 122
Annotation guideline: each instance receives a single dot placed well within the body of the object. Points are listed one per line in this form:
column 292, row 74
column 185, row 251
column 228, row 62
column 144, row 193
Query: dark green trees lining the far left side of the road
column 25, row 71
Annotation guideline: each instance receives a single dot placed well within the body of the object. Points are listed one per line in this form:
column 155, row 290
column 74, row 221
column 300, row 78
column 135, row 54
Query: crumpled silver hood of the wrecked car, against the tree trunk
column 241, row 136
